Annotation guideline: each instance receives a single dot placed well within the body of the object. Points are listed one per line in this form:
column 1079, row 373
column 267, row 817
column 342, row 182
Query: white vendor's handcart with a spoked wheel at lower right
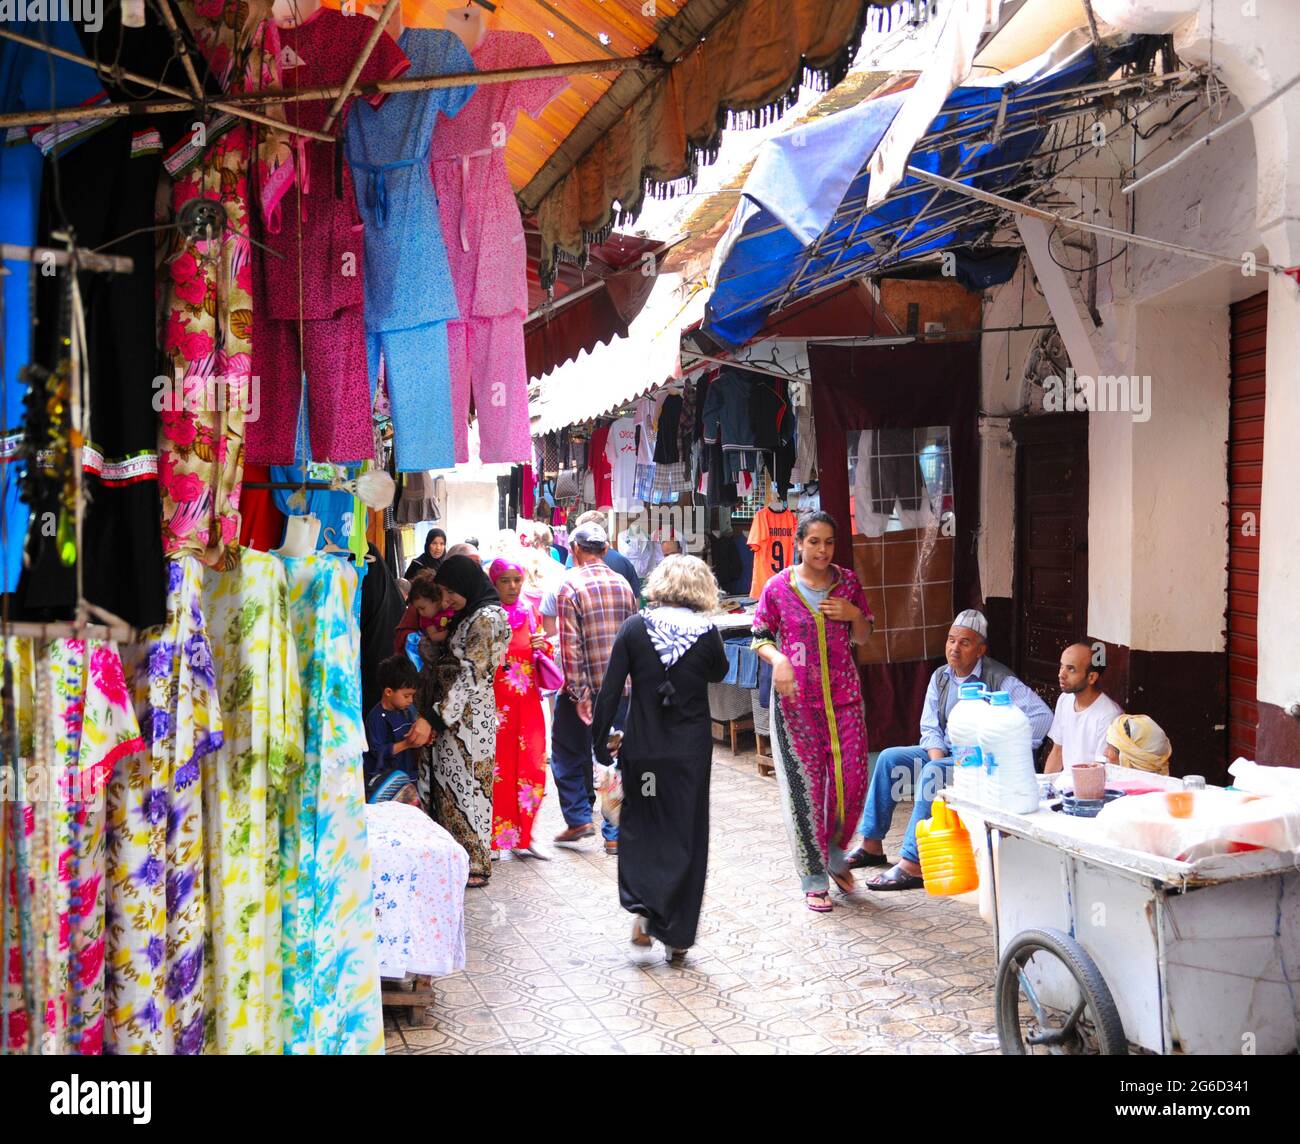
column 1103, row 948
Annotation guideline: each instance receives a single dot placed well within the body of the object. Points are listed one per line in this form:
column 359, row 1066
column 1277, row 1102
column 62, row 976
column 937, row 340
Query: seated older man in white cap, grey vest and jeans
column 896, row 768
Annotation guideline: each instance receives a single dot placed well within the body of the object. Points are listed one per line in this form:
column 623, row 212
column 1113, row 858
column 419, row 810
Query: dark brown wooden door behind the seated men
column 1051, row 596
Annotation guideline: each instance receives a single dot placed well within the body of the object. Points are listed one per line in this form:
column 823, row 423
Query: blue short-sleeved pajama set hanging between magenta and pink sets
column 410, row 296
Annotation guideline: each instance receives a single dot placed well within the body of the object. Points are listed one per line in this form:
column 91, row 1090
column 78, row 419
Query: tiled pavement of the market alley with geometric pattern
column 551, row 968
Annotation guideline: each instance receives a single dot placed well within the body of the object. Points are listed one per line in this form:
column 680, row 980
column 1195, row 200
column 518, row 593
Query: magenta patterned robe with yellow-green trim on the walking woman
column 820, row 734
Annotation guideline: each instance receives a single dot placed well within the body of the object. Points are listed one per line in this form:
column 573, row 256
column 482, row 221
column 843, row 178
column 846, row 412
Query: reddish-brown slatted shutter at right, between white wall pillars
column 1245, row 480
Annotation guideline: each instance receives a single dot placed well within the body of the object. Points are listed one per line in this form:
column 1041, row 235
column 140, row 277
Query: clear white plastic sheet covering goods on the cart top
column 1221, row 822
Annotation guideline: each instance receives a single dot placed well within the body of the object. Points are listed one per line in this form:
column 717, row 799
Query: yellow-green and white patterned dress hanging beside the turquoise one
column 244, row 799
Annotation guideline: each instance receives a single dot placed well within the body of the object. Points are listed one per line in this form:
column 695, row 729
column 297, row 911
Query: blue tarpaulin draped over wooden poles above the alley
column 803, row 226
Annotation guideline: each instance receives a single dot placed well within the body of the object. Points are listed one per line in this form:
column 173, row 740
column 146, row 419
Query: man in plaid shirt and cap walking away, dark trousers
column 591, row 608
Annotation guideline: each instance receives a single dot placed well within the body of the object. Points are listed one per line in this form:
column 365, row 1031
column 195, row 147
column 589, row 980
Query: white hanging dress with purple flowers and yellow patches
column 157, row 894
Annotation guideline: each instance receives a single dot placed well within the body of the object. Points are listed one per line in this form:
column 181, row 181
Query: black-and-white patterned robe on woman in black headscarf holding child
column 460, row 691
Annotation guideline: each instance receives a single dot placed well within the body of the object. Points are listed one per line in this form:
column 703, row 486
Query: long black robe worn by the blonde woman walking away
column 666, row 760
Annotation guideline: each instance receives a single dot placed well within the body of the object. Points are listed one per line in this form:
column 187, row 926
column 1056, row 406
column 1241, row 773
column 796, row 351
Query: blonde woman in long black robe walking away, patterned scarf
column 671, row 652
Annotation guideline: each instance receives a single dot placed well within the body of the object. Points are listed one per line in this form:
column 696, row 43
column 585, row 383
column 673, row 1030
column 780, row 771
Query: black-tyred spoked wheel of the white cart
column 1025, row 1026
